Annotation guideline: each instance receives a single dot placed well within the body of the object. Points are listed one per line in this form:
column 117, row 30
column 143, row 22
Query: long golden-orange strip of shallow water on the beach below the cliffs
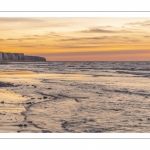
column 34, row 78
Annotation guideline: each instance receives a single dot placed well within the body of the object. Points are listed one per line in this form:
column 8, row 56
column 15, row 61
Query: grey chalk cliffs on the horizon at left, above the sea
column 19, row 57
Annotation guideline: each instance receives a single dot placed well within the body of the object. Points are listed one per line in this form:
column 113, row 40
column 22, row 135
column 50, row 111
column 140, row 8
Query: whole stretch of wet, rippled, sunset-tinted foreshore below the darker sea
column 55, row 101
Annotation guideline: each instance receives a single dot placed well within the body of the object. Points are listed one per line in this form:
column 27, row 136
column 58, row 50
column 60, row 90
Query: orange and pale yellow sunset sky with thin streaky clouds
column 78, row 39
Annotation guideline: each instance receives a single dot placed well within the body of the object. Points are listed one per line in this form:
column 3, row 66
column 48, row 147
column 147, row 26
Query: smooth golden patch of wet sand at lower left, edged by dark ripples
column 11, row 107
